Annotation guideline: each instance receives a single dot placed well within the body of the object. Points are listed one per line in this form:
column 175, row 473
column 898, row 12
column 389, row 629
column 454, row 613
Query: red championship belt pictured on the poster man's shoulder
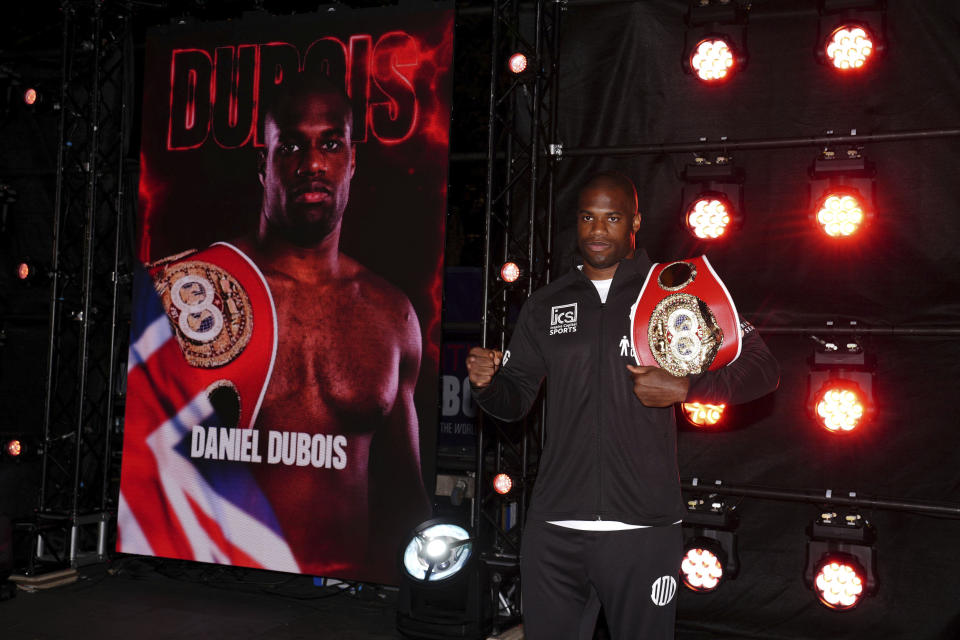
column 222, row 314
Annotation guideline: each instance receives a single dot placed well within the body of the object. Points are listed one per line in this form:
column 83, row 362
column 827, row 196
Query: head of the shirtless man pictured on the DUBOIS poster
column 306, row 167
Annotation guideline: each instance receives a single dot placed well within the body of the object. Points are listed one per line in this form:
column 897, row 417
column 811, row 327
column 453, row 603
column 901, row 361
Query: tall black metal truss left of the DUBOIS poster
column 80, row 429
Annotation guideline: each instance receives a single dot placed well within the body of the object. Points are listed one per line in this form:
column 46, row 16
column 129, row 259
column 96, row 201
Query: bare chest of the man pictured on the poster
column 337, row 361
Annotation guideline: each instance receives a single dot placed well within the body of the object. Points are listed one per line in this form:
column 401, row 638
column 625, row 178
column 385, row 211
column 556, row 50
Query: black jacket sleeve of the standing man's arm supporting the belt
column 754, row 374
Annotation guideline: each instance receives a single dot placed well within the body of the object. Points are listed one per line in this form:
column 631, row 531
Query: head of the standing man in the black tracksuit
column 607, row 220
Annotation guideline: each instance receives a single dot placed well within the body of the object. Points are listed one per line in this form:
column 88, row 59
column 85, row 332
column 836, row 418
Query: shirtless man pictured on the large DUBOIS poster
column 348, row 350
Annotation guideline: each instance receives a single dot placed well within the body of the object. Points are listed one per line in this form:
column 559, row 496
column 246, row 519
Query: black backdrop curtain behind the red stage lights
column 622, row 83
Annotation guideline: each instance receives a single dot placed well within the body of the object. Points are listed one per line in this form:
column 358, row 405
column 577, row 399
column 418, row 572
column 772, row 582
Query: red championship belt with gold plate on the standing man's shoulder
column 684, row 320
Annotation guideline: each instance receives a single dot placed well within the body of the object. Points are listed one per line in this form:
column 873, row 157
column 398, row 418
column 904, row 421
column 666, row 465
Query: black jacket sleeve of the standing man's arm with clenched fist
column 513, row 389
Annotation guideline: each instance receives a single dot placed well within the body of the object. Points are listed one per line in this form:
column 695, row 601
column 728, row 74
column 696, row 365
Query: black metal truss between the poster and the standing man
column 519, row 228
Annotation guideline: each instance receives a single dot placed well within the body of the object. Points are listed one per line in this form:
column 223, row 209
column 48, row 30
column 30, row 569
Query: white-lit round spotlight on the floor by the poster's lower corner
column 444, row 585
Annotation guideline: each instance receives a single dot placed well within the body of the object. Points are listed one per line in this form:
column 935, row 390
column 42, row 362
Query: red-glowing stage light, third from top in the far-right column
column 840, row 387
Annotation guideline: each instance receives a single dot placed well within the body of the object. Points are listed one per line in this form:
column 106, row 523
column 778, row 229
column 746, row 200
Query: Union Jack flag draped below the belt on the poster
column 171, row 505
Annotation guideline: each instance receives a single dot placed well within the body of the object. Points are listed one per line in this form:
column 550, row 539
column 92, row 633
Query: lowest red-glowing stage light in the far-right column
column 841, row 559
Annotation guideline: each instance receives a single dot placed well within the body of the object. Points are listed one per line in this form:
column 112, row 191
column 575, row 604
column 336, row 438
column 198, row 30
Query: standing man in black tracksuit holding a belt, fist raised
column 604, row 518
